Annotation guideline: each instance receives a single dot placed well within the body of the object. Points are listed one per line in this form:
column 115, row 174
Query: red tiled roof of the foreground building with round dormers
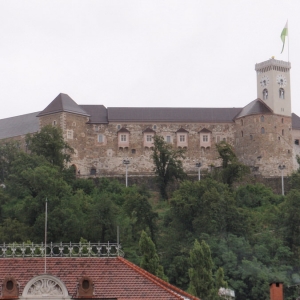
column 112, row 277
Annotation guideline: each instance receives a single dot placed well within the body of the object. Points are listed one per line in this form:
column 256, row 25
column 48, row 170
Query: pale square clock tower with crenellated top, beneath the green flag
column 273, row 85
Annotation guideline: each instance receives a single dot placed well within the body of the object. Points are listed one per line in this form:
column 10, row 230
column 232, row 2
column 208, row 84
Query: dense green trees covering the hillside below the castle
column 248, row 236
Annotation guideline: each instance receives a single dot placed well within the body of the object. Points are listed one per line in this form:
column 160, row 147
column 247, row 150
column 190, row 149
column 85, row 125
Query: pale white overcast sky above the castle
column 198, row 53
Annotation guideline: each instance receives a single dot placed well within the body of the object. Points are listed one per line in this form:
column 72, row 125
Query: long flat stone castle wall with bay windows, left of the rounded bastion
column 106, row 157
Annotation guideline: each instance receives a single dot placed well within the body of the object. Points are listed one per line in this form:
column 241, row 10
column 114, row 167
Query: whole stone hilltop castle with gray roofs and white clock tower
column 264, row 133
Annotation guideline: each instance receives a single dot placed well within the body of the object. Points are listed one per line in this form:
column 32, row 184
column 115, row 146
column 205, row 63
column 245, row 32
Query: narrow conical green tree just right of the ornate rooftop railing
column 150, row 259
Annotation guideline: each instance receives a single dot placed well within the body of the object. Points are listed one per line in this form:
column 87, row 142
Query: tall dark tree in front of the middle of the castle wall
column 167, row 164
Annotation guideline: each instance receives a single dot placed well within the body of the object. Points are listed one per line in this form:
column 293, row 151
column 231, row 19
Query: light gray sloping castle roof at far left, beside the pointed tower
column 20, row 125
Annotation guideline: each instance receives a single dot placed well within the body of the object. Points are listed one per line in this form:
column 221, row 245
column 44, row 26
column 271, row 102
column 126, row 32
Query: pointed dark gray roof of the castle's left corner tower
column 63, row 103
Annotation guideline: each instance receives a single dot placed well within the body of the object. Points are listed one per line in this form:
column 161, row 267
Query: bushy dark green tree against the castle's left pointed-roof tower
column 49, row 142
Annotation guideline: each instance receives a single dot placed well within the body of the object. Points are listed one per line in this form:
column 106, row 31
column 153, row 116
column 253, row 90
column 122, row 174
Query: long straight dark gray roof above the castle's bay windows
column 171, row 114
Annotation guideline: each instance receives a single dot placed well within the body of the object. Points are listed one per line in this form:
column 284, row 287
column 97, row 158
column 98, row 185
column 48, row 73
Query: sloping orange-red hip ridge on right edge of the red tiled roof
column 165, row 285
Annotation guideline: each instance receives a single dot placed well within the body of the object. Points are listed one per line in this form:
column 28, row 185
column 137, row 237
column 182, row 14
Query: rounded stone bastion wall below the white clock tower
column 264, row 142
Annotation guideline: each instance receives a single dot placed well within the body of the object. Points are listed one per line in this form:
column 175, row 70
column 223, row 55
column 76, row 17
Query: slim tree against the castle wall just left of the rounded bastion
column 232, row 169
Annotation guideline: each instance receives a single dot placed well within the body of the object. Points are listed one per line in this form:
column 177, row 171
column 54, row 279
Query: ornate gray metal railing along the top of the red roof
column 61, row 250
